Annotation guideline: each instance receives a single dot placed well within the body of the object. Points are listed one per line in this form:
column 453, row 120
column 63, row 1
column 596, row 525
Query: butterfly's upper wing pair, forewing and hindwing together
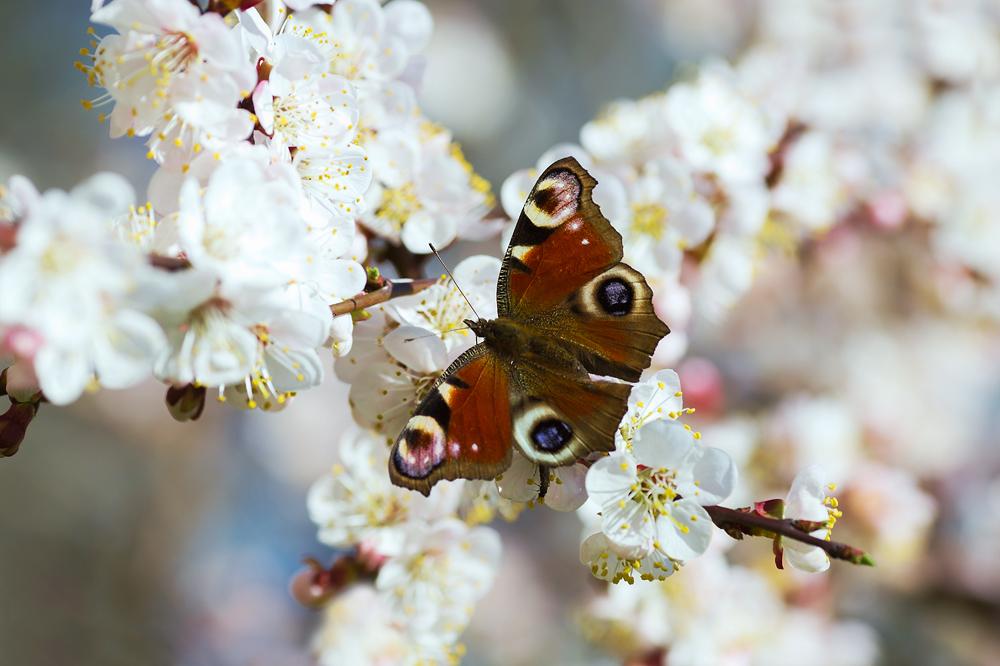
column 563, row 276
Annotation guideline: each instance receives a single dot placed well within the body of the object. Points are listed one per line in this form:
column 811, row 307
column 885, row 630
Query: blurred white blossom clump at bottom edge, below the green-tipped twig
column 716, row 614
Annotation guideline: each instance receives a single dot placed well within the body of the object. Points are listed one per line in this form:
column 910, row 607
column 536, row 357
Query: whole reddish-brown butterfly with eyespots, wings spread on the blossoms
column 568, row 308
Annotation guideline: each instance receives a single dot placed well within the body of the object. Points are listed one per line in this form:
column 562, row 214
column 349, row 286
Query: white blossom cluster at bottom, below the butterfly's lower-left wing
column 432, row 566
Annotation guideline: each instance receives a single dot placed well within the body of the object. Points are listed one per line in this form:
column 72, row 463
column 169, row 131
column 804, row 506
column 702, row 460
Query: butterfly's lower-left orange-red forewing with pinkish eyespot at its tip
column 461, row 430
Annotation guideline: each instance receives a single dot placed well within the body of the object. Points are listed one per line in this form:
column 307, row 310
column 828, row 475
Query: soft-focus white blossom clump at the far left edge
column 69, row 290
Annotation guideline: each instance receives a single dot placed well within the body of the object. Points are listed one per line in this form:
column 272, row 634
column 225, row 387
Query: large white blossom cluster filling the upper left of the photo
column 274, row 142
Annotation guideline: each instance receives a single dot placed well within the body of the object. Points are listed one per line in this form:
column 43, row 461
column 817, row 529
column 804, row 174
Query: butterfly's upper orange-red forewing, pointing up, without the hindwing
column 560, row 243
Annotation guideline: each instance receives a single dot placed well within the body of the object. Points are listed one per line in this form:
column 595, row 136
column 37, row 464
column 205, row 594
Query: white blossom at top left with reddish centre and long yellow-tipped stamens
column 175, row 73
